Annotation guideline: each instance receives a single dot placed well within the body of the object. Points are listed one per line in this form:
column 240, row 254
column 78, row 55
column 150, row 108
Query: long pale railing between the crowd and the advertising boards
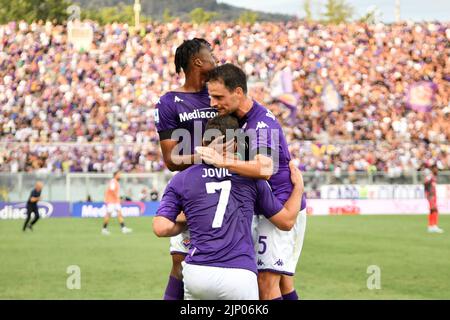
column 75, row 187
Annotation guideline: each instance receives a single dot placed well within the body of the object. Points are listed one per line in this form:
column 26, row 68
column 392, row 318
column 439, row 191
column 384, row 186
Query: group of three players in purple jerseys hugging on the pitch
column 230, row 186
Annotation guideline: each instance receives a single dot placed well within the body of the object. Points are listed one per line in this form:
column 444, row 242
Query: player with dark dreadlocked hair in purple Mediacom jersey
column 186, row 109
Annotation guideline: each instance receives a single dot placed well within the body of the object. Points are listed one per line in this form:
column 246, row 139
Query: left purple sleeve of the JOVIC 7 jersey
column 171, row 204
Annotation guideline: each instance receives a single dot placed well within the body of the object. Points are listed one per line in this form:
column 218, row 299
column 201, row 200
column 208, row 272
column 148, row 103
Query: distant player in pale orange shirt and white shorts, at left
column 112, row 200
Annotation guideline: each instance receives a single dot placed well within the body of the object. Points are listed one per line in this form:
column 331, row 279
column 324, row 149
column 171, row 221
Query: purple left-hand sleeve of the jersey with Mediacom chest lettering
column 166, row 118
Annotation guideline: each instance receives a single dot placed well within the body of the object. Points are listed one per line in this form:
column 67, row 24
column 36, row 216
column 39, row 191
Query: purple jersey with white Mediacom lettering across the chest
column 184, row 110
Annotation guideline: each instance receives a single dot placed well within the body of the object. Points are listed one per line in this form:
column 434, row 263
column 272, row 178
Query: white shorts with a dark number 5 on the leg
column 279, row 251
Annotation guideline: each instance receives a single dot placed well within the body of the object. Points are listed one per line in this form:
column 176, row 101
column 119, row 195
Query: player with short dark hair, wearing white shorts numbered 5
column 277, row 251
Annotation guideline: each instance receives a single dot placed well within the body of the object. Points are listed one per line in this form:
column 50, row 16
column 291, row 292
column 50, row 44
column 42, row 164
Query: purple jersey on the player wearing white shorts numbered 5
column 267, row 137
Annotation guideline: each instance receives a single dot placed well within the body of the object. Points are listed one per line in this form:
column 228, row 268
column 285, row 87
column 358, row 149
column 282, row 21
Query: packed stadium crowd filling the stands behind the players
column 65, row 110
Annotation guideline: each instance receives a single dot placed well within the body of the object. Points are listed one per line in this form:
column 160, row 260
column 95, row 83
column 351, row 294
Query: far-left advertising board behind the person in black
column 17, row 210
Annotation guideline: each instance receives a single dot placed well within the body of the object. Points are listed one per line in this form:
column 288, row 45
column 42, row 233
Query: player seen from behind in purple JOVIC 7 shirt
column 219, row 207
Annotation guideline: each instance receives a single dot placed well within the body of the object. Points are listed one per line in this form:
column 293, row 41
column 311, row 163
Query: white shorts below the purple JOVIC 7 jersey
column 215, row 283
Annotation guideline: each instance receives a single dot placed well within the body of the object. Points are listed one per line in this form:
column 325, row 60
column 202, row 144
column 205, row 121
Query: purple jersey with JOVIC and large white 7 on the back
column 219, row 207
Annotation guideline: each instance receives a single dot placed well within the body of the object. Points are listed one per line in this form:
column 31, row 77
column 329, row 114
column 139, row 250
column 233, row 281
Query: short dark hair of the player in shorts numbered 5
column 230, row 75
